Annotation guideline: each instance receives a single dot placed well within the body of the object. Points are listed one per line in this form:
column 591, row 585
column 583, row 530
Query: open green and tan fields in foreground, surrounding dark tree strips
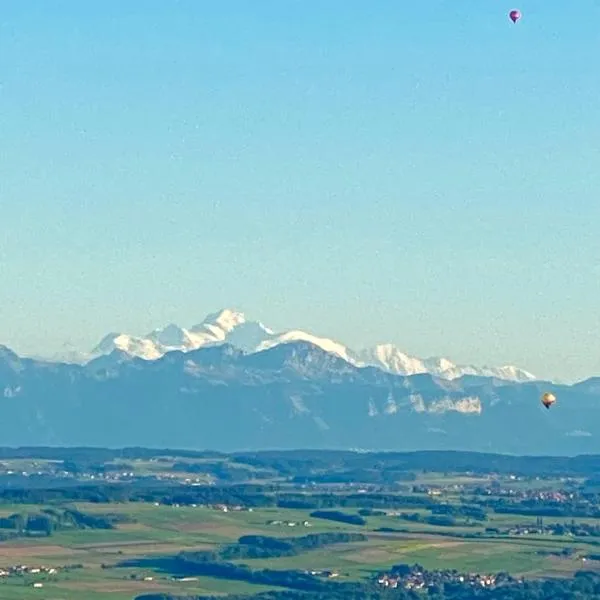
column 164, row 530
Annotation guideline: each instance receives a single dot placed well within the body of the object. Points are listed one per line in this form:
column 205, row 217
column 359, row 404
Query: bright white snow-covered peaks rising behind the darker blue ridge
column 232, row 327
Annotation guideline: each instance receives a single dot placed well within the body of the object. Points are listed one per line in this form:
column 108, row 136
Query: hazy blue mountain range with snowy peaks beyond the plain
column 280, row 392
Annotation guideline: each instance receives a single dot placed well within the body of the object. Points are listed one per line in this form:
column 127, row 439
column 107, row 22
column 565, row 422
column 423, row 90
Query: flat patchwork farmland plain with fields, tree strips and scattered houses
column 113, row 524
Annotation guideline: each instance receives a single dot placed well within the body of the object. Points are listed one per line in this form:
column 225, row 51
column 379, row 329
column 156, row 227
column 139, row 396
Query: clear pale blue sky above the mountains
column 419, row 173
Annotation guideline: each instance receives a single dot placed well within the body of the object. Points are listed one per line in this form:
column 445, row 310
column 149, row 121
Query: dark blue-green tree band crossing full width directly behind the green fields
column 269, row 495
